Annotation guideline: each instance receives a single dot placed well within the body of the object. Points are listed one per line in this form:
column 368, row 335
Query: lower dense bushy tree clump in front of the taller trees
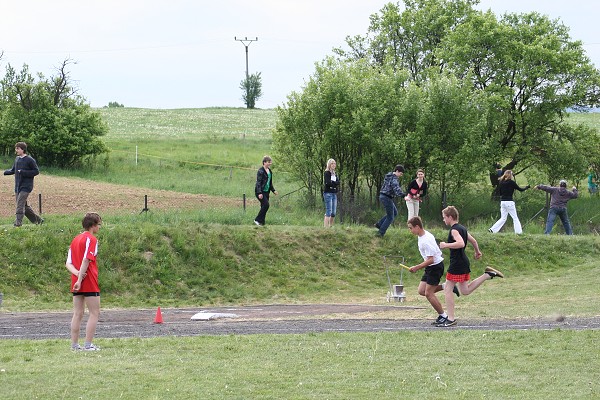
column 370, row 119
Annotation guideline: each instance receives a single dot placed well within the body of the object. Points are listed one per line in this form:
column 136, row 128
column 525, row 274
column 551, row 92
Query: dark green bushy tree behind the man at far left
column 60, row 128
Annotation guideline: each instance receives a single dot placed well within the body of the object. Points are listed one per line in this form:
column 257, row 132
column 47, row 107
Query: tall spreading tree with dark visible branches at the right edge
column 532, row 73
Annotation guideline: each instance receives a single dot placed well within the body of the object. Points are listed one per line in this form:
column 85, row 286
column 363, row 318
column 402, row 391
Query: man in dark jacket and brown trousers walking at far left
column 24, row 169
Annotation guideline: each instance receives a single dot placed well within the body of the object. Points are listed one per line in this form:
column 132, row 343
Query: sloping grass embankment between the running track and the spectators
column 149, row 262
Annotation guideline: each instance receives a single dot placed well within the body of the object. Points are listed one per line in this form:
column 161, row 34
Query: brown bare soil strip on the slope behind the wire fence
column 62, row 196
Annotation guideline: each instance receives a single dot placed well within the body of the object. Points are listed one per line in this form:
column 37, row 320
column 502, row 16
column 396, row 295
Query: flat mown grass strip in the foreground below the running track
column 432, row 365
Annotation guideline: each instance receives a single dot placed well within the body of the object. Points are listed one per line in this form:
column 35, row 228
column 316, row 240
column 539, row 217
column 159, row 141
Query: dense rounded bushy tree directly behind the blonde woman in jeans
column 346, row 112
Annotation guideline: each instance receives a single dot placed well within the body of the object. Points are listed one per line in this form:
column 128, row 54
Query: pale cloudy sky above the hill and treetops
column 182, row 53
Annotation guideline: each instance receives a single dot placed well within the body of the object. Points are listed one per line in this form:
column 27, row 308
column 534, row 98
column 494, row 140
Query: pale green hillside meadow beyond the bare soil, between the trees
column 212, row 150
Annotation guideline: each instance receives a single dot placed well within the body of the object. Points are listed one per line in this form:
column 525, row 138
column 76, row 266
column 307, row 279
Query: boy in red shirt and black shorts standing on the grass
column 81, row 262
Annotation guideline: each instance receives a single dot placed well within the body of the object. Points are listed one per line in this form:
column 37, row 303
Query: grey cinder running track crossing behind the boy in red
column 266, row 319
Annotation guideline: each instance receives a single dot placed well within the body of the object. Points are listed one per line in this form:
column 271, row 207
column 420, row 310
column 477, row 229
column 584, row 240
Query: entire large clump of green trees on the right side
column 448, row 88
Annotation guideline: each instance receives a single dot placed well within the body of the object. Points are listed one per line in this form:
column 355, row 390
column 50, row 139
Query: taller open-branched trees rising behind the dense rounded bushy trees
column 531, row 71
